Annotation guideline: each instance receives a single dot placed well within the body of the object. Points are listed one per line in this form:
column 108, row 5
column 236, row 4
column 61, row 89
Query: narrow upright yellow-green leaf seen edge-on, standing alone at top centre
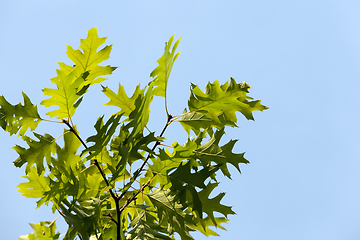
column 162, row 72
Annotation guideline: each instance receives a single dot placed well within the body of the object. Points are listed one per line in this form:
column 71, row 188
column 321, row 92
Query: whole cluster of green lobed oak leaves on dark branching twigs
column 93, row 184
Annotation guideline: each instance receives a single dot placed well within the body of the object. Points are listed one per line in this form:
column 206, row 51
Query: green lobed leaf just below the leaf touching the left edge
column 36, row 152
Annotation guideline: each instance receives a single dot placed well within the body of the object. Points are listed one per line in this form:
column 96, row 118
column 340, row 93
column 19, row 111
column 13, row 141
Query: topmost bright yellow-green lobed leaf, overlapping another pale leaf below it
column 87, row 58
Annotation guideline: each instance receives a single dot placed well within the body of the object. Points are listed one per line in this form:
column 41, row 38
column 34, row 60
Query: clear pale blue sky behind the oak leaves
column 301, row 58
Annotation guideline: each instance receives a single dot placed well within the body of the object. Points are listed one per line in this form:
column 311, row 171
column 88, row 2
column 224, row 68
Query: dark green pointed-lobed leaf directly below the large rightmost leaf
column 212, row 152
